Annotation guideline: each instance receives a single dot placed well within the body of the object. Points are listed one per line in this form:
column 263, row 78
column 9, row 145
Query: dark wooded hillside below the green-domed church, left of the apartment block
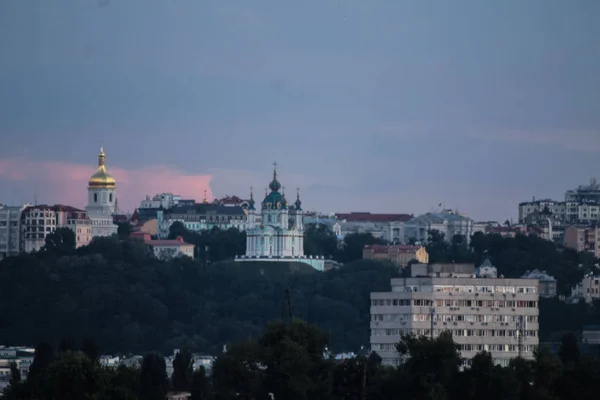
column 117, row 292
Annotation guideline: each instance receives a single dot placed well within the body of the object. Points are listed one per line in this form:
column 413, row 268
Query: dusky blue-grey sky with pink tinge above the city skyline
column 380, row 105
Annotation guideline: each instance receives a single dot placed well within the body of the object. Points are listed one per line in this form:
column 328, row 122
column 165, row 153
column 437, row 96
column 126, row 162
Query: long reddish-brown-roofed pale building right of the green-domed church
column 389, row 227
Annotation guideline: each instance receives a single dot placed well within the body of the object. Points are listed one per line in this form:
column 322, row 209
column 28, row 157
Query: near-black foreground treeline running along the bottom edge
column 291, row 361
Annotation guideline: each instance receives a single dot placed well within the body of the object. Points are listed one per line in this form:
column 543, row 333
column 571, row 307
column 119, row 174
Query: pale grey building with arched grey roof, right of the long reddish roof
column 448, row 222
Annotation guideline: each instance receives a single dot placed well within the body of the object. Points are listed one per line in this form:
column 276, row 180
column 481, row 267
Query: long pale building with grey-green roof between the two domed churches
column 201, row 217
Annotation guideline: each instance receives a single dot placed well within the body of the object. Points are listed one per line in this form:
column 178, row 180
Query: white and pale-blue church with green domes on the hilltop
column 280, row 235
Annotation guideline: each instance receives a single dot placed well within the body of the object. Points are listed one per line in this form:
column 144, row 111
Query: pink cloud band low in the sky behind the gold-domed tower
column 66, row 183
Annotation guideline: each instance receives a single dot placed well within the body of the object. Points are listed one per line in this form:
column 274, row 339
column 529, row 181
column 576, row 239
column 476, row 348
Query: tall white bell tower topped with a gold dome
column 102, row 200
